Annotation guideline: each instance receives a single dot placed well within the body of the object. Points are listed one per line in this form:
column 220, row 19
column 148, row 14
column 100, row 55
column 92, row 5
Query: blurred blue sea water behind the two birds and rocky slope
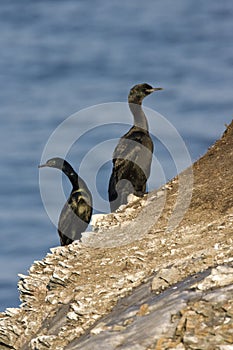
column 58, row 57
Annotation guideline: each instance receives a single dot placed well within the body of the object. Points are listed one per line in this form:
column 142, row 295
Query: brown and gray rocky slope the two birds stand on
column 157, row 275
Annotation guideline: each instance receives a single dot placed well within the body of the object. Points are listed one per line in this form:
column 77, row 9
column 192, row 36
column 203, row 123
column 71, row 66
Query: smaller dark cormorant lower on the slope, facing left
column 76, row 213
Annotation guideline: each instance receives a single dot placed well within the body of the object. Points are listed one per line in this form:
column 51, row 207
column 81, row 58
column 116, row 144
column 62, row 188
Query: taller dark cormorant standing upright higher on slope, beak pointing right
column 133, row 154
